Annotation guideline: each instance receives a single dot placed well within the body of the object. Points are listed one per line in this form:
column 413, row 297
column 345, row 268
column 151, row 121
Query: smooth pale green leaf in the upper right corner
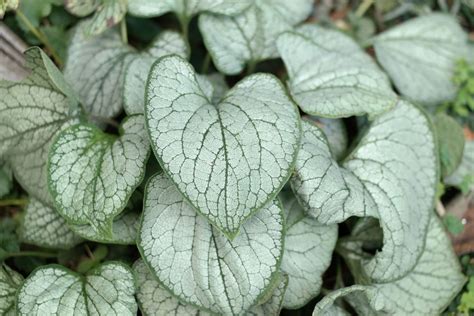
column 420, row 55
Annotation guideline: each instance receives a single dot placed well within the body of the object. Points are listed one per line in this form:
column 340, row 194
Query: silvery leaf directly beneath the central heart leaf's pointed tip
column 197, row 263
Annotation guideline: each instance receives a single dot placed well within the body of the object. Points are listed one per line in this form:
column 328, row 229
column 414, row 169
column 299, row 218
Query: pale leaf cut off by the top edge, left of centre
column 185, row 9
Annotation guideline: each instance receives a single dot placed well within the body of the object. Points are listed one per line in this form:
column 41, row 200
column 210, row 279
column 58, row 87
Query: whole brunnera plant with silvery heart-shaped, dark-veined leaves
column 249, row 182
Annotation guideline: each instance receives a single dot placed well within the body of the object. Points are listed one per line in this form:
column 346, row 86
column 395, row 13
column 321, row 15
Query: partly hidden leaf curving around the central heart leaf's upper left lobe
column 166, row 43
